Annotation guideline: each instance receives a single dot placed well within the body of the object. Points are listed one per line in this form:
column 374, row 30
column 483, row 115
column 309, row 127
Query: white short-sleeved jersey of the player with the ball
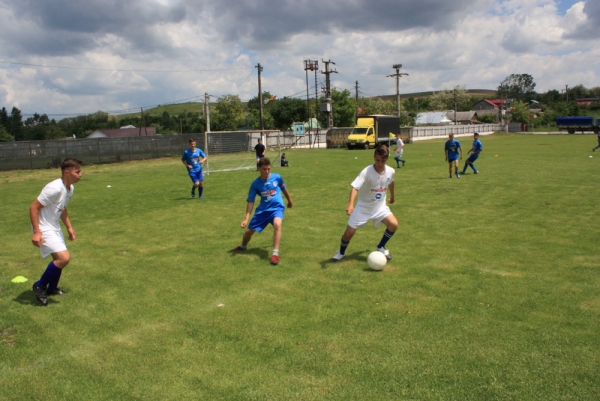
column 372, row 187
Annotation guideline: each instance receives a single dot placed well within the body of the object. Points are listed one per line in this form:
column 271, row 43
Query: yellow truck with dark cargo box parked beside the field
column 374, row 129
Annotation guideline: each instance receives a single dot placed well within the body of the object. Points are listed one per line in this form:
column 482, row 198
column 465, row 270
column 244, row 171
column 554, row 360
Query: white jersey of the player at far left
column 55, row 199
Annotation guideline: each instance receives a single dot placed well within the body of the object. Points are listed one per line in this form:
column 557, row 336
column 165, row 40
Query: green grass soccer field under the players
column 492, row 293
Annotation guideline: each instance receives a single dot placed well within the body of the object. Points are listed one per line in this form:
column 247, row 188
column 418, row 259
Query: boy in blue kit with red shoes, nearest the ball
column 269, row 187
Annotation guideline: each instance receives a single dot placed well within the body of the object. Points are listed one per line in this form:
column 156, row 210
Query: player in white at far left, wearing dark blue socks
column 46, row 212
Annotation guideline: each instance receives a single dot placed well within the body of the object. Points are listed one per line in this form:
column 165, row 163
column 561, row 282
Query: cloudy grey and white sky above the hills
column 64, row 57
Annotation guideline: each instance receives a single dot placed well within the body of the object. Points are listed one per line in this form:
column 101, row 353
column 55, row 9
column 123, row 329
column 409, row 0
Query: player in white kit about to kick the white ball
column 370, row 187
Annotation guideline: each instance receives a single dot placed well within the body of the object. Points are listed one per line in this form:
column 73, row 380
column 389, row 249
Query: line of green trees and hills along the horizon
column 229, row 113
